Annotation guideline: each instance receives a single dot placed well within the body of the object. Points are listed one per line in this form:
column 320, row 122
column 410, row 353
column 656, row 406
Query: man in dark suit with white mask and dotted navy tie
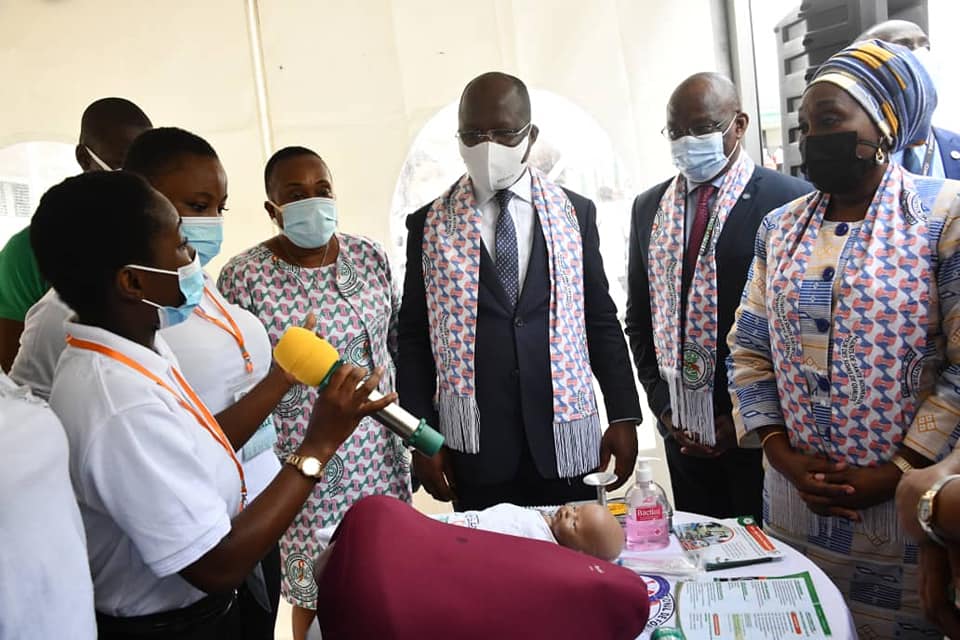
column 497, row 310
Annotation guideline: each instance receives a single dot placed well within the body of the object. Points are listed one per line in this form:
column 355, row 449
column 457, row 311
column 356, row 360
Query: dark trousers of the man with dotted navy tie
column 527, row 489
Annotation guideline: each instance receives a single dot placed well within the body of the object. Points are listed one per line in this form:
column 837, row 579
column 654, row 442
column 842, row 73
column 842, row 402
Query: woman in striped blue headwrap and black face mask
column 841, row 368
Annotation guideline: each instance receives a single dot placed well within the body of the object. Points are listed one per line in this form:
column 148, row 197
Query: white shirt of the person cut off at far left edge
column 45, row 587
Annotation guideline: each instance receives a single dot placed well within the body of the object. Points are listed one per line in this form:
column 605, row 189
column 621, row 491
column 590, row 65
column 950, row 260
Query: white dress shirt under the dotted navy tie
column 522, row 213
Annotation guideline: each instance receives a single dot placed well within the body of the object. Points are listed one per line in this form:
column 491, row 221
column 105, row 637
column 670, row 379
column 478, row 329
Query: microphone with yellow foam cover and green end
column 314, row 362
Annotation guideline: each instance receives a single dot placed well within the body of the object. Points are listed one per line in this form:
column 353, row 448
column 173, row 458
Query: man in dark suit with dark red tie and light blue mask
column 704, row 222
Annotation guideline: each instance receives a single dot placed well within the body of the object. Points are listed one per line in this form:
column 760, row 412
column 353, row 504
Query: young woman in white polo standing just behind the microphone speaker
column 223, row 350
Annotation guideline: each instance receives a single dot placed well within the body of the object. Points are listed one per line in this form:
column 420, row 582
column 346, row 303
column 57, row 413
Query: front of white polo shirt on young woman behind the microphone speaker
column 212, row 363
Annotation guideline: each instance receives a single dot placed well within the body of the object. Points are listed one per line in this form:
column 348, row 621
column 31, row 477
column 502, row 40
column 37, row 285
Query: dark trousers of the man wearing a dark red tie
column 728, row 486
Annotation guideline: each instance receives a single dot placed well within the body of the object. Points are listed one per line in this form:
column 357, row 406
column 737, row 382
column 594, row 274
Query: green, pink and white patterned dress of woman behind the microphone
column 355, row 303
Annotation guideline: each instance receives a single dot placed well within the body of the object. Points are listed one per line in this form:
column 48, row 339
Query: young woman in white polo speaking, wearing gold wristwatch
column 160, row 489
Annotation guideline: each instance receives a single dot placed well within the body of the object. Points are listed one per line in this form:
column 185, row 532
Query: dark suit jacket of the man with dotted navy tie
column 512, row 357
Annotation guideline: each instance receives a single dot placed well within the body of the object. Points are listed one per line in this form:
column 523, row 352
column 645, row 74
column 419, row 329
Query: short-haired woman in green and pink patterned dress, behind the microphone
column 345, row 281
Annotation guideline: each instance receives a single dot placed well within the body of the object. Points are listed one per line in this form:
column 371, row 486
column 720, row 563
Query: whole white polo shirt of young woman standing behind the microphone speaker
column 209, row 359
